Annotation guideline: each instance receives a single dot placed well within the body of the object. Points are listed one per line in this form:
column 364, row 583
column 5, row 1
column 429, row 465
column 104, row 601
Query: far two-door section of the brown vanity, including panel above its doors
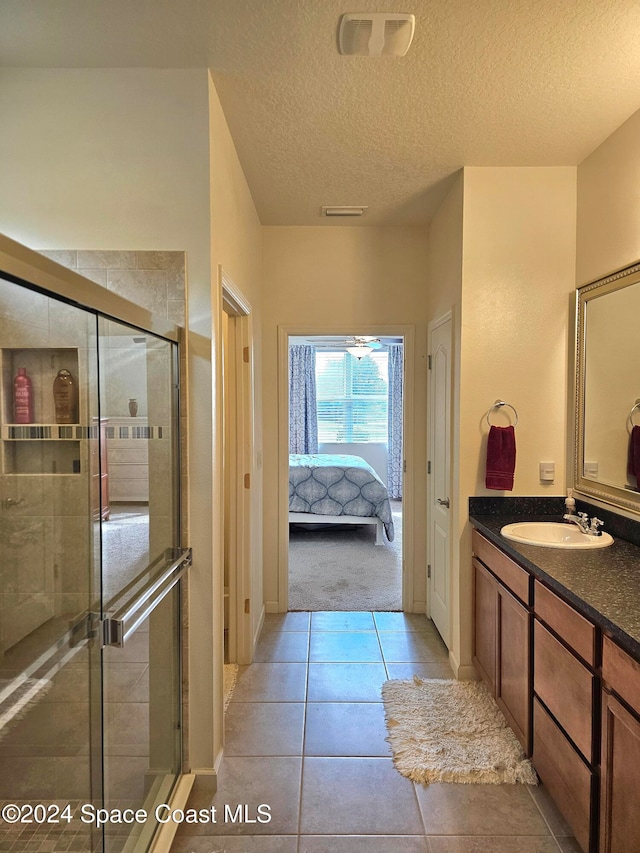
column 502, row 631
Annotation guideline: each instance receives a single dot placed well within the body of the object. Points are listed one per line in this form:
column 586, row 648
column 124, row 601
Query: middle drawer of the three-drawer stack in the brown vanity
column 565, row 686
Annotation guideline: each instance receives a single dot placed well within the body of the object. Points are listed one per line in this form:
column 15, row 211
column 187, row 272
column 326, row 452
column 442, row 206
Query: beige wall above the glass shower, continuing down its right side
column 119, row 158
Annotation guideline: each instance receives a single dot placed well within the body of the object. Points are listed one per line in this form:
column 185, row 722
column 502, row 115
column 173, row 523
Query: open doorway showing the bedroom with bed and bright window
column 348, row 427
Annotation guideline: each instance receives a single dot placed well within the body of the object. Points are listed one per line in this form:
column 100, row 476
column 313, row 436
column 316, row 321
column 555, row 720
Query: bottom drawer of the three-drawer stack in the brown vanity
column 566, row 776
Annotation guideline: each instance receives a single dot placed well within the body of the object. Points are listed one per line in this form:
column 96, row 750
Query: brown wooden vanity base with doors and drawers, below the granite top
column 541, row 659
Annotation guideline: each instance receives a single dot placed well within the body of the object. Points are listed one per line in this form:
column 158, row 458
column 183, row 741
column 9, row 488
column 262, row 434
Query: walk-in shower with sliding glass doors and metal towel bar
column 91, row 561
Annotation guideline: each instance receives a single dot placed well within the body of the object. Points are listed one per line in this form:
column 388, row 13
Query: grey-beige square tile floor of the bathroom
column 305, row 736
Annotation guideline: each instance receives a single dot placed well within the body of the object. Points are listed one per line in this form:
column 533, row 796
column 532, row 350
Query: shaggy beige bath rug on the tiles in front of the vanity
column 451, row 731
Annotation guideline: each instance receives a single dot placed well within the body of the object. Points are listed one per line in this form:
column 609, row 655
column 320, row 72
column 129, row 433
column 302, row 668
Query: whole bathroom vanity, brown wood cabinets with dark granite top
column 557, row 639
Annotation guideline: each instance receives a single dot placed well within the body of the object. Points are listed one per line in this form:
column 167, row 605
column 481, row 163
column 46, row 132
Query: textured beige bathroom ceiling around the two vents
column 485, row 83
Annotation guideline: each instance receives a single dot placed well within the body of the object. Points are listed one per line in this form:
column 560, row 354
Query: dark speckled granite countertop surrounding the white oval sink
column 603, row 584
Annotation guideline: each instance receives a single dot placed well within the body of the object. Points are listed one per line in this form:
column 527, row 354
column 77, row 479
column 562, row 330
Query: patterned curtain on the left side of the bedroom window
column 303, row 413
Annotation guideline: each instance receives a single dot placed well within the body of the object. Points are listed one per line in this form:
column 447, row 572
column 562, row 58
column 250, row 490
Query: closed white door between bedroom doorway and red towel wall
column 439, row 586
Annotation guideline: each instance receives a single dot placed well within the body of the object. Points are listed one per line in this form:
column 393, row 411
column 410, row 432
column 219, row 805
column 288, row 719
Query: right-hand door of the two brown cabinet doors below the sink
column 513, row 682
